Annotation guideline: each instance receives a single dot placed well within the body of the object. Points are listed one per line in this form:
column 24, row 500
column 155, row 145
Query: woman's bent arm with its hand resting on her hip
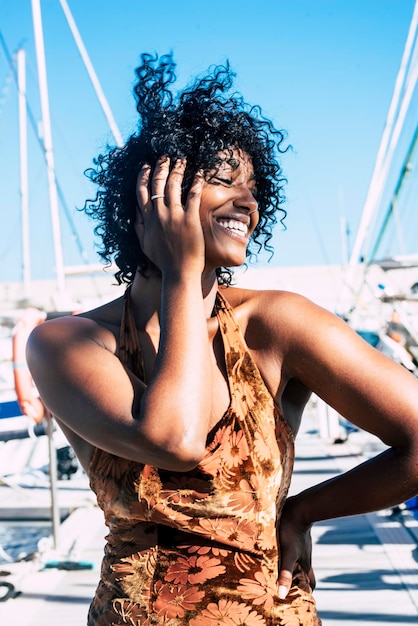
column 372, row 392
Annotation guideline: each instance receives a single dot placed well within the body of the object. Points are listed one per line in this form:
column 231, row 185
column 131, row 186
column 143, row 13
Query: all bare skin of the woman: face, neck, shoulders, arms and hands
column 298, row 347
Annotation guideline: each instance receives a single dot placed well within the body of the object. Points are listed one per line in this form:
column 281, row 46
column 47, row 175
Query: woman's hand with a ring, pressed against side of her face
column 169, row 233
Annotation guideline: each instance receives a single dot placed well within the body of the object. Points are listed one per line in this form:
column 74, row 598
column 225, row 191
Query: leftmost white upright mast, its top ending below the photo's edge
column 23, row 157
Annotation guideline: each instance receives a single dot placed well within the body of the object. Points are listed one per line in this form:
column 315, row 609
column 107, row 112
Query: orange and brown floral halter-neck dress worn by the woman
column 199, row 547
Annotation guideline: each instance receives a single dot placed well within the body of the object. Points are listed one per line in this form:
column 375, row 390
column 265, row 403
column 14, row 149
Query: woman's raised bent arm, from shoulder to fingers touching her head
column 85, row 386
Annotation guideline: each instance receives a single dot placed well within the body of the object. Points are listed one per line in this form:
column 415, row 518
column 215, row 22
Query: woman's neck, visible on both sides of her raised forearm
column 146, row 298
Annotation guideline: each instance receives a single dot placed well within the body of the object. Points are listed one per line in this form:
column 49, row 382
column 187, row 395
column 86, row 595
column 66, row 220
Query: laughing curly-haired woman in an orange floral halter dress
column 182, row 399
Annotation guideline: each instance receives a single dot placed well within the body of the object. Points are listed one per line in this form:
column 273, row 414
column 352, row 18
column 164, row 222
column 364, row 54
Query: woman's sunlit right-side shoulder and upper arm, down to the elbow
column 293, row 339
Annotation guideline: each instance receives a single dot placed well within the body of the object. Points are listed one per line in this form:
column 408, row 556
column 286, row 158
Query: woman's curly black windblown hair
column 203, row 120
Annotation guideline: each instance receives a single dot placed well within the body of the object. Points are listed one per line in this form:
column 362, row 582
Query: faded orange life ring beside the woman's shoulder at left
column 29, row 401
